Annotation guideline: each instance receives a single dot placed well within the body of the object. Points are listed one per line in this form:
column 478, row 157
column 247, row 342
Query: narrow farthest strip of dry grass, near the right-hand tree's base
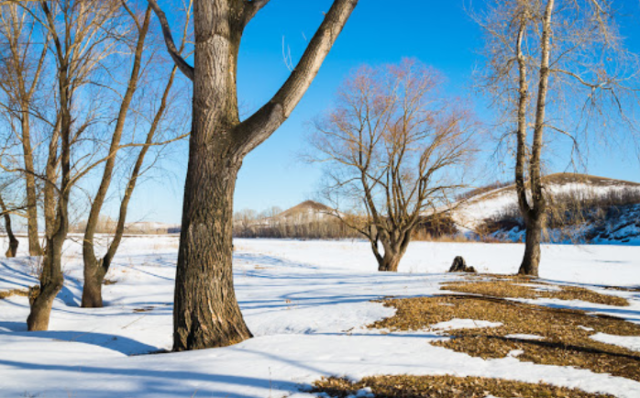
column 521, row 287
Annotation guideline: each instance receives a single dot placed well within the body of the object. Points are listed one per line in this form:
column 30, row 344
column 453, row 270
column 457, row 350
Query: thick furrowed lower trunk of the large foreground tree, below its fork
column 206, row 313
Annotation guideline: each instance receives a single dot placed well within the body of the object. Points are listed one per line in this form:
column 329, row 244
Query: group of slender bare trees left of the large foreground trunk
column 84, row 93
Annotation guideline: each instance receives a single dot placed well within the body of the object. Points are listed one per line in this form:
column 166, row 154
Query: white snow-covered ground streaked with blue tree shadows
column 307, row 304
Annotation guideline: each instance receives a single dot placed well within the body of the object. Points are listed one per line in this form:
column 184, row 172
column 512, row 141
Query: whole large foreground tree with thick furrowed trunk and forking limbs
column 206, row 312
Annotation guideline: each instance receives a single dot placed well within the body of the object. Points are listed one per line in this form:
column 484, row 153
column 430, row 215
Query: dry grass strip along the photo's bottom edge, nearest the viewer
column 446, row 387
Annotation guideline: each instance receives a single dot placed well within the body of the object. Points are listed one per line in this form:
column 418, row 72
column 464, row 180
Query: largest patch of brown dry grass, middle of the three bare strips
column 565, row 333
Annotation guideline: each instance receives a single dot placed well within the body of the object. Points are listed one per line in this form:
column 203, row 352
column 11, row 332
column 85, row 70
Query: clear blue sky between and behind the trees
column 437, row 32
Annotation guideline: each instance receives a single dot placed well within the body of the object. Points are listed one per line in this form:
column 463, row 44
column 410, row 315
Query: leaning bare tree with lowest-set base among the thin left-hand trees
column 81, row 35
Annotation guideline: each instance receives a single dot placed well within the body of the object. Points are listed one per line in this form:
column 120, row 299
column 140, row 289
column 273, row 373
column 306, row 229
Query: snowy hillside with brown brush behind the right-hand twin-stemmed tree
column 583, row 209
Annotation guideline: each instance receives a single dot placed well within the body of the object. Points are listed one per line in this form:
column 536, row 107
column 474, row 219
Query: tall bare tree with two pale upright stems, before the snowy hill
column 553, row 66
